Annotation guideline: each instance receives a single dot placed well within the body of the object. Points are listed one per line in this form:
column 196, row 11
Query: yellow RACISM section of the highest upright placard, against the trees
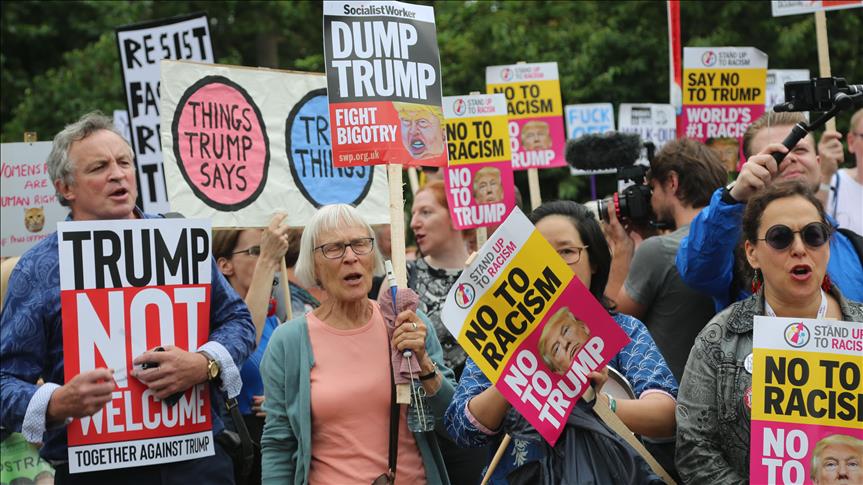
column 530, row 99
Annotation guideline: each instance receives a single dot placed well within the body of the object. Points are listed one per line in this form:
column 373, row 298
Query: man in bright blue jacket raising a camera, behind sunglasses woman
column 706, row 259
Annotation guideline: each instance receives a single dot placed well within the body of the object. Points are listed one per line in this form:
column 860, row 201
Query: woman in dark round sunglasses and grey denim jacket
column 786, row 243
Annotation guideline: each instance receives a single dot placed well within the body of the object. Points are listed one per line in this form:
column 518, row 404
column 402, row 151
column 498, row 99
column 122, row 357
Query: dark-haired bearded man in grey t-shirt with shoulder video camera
column 682, row 177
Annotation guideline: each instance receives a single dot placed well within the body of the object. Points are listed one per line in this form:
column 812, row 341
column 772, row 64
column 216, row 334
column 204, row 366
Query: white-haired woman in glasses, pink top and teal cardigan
column 327, row 374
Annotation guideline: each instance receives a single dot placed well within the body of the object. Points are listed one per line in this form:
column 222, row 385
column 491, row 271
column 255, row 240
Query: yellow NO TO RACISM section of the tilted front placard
column 515, row 305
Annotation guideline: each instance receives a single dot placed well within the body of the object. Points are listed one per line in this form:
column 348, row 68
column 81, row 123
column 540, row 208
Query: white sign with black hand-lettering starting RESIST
column 142, row 47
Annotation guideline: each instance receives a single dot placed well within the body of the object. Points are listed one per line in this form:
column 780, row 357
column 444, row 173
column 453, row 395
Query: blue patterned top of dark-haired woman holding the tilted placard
column 639, row 361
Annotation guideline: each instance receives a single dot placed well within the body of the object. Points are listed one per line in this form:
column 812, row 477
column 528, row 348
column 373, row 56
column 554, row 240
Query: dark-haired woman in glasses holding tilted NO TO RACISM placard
column 479, row 414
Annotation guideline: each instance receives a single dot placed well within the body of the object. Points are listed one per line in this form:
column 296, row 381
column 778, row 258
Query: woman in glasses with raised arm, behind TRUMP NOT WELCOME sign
column 249, row 259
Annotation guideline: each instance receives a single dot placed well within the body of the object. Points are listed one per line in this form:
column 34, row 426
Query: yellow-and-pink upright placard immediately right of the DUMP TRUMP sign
column 479, row 183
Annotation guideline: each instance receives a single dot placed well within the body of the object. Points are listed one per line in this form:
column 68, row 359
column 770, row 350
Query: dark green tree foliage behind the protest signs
column 59, row 59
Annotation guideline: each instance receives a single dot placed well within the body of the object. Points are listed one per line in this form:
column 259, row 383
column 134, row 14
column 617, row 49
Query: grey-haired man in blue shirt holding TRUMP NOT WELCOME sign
column 91, row 167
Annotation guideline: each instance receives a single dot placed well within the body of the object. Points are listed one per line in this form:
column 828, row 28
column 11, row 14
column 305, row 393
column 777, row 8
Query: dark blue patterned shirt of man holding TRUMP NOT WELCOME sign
column 31, row 337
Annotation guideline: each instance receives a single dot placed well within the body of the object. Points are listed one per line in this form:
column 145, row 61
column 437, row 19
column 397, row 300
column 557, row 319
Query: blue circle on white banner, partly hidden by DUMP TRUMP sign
column 308, row 145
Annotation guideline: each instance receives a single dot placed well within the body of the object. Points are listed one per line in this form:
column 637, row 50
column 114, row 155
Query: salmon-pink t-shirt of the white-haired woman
column 351, row 407
